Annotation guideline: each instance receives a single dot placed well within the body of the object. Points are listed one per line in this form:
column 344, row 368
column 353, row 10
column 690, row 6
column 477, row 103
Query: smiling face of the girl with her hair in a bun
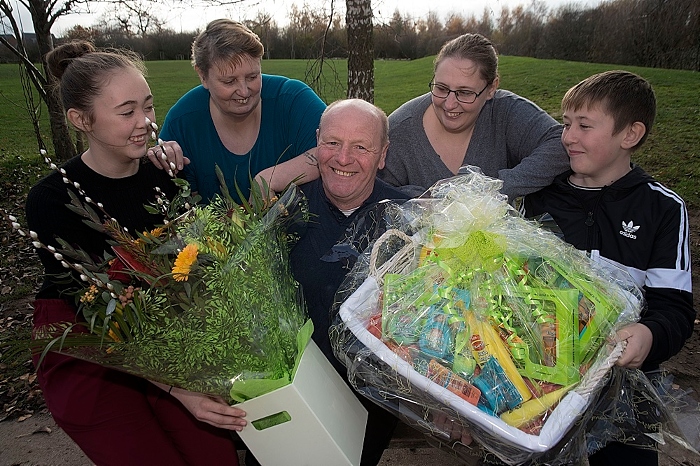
column 116, row 124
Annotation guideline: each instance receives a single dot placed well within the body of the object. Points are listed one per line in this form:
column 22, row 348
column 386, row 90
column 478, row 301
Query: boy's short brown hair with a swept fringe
column 625, row 96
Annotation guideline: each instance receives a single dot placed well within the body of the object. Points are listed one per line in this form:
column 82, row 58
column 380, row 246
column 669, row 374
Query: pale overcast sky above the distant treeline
column 186, row 19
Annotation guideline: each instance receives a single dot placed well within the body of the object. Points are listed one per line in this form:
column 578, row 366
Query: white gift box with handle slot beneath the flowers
column 321, row 421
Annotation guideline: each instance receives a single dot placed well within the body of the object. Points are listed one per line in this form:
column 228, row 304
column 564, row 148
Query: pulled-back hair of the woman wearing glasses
column 476, row 48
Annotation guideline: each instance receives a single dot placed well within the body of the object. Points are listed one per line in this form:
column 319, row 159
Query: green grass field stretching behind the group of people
column 671, row 152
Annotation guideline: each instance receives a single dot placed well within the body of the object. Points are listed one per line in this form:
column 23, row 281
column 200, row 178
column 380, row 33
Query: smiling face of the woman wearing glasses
column 460, row 74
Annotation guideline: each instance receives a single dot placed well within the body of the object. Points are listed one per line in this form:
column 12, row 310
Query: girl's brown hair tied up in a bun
column 80, row 71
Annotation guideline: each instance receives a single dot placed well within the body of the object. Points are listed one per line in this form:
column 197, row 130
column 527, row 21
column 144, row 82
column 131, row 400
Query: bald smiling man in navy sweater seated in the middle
column 352, row 141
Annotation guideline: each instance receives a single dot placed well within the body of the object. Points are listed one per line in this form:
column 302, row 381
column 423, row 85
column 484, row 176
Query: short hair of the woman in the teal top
column 224, row 41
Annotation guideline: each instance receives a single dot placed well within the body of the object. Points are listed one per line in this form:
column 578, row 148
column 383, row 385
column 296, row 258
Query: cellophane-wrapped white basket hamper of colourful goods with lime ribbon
column 463, row 317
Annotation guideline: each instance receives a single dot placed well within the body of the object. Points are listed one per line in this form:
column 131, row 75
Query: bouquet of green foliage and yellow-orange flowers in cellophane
column 205, row 302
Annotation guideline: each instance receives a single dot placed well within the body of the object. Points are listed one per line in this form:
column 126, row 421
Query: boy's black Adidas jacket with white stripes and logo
column 641, row 226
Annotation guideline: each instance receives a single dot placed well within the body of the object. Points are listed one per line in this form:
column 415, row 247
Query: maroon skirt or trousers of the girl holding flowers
column 117, row 418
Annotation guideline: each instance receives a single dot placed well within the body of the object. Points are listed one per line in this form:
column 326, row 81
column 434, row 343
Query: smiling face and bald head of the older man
column 350, row 151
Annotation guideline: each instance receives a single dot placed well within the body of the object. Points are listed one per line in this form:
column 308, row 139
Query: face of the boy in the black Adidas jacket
column 597, row 156
